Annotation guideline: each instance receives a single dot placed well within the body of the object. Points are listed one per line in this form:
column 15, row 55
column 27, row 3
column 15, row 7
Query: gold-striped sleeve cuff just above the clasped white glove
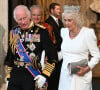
column 48, row 69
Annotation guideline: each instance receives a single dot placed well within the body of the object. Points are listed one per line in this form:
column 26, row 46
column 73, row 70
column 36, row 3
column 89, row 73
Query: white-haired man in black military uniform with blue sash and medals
column 26, row 44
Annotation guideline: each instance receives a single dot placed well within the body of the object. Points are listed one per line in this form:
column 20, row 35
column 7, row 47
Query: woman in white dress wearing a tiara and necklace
column 78, row 42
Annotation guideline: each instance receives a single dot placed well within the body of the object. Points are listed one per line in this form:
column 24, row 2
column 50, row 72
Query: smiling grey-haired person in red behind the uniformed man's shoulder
column 36, row 16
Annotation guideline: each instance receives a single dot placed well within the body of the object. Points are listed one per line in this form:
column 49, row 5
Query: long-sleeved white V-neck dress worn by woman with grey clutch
column 74, row 50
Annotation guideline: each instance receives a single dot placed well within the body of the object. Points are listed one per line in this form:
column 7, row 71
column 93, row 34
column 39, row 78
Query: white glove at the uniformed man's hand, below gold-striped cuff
column 40, row 80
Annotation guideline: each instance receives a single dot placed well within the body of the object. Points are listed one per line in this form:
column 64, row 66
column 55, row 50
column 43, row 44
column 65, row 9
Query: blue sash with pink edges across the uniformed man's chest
column 22, row 52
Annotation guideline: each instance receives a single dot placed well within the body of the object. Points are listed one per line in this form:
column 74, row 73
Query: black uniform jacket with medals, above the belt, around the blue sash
column 33, row 48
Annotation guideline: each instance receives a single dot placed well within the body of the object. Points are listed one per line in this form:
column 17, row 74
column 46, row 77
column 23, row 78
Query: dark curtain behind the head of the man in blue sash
column 12, row 4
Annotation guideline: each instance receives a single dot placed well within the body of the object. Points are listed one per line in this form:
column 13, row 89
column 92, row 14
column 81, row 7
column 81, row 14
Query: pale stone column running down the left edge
column 3, row 39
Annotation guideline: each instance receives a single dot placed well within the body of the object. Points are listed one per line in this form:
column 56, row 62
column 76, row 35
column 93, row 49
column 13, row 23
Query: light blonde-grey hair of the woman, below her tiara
column 77, row 17
